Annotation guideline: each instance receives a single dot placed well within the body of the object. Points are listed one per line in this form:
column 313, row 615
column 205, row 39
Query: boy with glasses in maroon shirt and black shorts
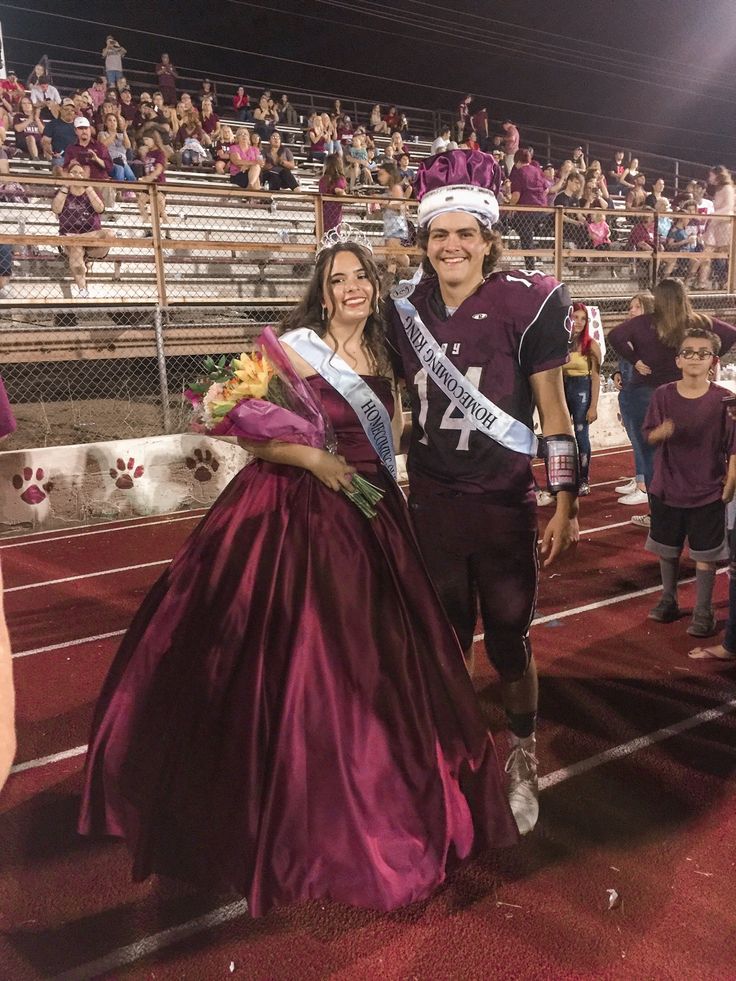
column 694, row 477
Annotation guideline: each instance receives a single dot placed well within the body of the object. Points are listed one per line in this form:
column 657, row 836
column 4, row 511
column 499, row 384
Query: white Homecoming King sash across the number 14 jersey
column 486, row 417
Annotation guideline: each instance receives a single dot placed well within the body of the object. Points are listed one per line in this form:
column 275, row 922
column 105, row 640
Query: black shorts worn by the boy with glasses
column 704, row 528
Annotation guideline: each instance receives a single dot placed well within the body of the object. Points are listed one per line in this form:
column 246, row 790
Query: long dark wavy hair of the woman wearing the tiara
column 309, row 312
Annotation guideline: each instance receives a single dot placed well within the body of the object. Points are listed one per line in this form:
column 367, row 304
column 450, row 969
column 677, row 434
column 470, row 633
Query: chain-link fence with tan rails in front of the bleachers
column 101, row 333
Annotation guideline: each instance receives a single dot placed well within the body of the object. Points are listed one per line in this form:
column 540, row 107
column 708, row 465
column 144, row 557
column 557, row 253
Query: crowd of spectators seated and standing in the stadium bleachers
column 117, row 134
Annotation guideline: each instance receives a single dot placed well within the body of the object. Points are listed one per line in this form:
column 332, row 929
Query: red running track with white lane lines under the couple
column 637, row 747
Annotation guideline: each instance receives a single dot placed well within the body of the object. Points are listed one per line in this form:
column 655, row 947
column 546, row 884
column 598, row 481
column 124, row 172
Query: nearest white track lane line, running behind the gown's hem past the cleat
column 158, row 942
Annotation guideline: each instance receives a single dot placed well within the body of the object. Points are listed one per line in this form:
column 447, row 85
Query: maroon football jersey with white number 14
column 515, row 325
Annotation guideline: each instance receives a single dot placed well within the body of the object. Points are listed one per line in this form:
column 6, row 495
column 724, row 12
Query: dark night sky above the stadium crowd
column 689, row 49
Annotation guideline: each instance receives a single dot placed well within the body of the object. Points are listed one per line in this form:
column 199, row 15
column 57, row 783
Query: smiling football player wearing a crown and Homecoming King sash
column 504, row 336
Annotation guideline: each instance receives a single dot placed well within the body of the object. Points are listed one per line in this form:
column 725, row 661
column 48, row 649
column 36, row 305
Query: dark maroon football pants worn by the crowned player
column 482, row 554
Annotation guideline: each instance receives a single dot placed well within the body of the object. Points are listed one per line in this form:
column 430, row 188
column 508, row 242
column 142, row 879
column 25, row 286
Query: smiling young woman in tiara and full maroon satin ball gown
column 289, row 713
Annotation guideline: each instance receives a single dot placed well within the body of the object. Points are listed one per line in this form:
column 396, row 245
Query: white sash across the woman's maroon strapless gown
column 369, row 409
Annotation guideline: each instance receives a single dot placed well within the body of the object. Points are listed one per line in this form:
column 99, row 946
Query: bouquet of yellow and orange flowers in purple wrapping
column 260, row 397
